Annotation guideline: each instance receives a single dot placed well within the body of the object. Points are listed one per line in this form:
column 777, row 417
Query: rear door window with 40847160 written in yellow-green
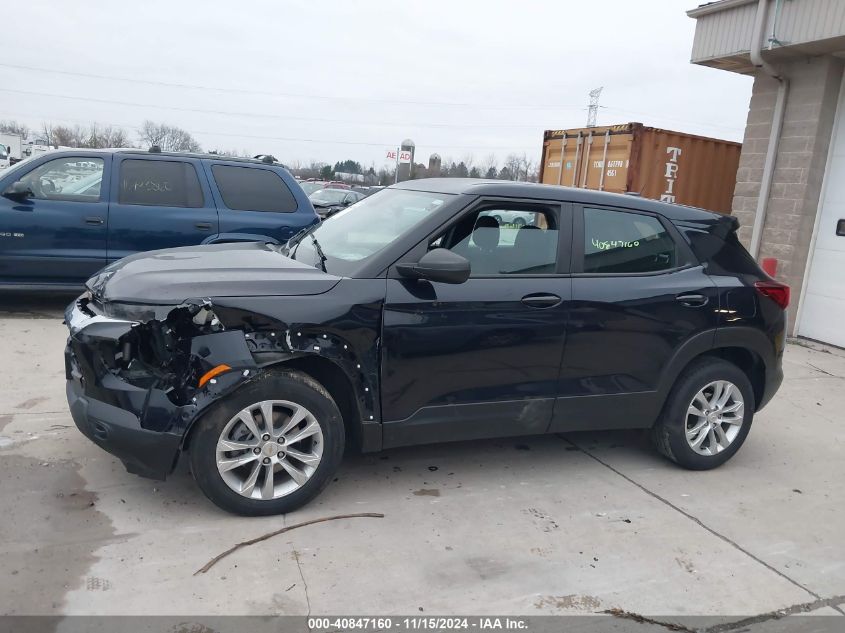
column 620, row 242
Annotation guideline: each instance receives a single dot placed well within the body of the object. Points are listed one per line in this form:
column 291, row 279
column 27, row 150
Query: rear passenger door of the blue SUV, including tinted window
column 158, row 202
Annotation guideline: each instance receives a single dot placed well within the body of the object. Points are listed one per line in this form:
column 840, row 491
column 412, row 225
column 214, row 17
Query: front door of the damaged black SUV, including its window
column 481, row 358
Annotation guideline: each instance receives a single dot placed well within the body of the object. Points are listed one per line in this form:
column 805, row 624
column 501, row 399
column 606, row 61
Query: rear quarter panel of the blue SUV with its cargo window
column 256, row 202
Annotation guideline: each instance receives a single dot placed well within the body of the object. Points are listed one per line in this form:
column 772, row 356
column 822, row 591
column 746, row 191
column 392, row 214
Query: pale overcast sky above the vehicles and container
column 332, row 80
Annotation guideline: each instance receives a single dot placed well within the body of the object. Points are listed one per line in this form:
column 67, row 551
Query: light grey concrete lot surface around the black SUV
column 532, row 526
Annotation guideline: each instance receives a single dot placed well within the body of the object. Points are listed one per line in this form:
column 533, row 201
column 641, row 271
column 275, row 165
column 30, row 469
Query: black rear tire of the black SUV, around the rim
column 669, row 432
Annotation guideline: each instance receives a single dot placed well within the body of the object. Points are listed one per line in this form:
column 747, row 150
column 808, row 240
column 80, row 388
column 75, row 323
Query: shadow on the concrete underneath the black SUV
column 372, row 481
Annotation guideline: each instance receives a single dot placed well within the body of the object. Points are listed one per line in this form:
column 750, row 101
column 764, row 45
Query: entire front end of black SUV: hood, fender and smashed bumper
column 144, row 363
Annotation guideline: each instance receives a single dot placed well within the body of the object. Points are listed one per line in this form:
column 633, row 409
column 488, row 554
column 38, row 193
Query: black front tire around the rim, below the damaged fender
column 290, row 385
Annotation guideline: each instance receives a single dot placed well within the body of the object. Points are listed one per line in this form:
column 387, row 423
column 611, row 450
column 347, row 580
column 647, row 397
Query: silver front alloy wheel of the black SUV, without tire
column 269, row 449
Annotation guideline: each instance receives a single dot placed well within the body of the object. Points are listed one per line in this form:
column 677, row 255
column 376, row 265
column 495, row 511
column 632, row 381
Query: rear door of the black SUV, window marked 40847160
column 638, row 295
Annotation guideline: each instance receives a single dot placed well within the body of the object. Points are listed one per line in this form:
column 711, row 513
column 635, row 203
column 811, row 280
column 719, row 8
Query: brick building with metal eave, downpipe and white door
column 790, row 190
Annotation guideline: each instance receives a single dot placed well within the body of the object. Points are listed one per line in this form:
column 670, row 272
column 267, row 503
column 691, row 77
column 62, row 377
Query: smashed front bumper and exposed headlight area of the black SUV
column 137, row 376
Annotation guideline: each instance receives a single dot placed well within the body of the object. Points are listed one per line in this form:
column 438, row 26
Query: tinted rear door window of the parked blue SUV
column 159, row 183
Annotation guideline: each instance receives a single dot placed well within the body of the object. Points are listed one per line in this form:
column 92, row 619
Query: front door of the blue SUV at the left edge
column 58, row 235
